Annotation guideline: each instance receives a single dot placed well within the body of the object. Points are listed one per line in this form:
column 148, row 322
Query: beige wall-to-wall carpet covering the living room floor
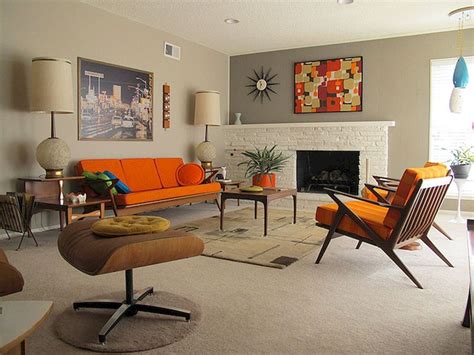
column 355, row 301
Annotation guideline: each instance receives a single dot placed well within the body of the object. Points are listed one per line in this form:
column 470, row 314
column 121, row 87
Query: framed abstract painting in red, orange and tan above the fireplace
column 330, row 85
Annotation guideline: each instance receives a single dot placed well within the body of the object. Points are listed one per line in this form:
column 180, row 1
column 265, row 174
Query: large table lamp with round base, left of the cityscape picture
column 52, row 93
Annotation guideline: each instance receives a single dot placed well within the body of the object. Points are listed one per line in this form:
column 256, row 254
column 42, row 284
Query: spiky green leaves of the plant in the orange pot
column 263, row 161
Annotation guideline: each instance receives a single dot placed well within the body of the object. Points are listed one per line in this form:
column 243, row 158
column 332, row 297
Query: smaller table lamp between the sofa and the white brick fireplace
column 207, row 112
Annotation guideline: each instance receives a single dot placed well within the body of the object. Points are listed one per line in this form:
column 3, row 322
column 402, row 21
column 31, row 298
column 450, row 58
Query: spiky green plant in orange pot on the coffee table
column 263, row 164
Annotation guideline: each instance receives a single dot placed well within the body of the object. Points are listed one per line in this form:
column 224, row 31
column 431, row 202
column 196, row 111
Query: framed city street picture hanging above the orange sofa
column 114, row 102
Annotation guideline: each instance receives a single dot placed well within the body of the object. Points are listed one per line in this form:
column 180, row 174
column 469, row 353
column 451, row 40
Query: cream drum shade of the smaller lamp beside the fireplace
column 207, row 110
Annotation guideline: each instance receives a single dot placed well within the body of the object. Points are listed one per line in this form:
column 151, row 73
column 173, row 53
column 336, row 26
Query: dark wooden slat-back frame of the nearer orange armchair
column 416, row 218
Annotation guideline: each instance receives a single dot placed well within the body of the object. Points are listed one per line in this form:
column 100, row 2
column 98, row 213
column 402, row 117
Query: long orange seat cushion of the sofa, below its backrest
column 164, row 194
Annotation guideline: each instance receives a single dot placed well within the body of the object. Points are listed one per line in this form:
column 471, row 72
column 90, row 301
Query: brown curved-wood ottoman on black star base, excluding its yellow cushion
column 95, row 255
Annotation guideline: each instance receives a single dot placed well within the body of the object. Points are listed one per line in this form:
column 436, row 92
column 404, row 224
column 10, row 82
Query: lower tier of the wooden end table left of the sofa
column 67, row 207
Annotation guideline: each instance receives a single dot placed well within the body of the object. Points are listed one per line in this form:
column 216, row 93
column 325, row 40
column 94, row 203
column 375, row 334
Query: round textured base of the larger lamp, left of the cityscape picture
column 53, row 155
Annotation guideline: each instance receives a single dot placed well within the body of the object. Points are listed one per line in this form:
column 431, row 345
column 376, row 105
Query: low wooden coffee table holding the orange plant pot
column 264, row 197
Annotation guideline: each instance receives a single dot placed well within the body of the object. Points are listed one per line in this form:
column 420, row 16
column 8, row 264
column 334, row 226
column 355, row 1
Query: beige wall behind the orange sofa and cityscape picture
column 71, row 29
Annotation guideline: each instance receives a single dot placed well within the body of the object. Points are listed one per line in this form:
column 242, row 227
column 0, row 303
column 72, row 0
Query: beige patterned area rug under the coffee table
column 242, row 239
